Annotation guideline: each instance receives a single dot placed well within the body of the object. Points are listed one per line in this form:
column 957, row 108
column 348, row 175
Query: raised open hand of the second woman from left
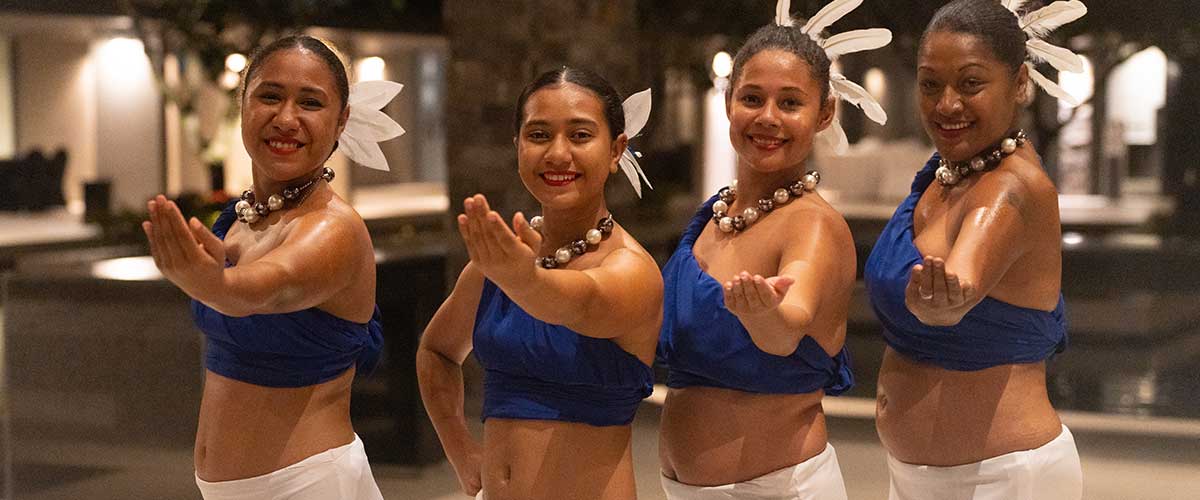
column 505, row 257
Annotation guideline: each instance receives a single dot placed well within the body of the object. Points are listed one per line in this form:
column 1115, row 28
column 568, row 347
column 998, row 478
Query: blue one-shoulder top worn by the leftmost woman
column 295, row 350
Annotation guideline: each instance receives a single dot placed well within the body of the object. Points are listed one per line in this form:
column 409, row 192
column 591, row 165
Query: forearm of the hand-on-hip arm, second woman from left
column 442, row 393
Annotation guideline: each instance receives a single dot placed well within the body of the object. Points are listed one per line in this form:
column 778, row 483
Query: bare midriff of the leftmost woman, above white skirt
column 248, row 431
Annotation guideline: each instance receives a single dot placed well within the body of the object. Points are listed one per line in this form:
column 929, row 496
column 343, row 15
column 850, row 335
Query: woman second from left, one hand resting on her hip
column 566, row 342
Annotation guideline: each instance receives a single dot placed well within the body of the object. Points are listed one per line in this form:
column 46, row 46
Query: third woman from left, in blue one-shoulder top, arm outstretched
column 757, row 302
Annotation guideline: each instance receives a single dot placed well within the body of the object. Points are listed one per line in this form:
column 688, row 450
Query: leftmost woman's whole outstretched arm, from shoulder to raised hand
column 307, row 270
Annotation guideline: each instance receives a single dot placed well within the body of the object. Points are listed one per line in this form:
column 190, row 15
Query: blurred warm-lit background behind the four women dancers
column 105, row 104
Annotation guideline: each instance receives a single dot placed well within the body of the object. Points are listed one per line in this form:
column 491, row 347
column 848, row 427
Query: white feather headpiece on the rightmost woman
column 1037, row 26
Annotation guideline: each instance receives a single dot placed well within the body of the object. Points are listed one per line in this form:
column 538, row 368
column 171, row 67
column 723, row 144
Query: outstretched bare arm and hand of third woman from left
column 778, row 311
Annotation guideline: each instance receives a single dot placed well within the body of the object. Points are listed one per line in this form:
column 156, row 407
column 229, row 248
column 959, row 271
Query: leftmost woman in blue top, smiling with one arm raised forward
column 285, row 293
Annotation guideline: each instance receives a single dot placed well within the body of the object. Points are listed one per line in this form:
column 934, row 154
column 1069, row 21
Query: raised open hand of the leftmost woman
column 188, row 254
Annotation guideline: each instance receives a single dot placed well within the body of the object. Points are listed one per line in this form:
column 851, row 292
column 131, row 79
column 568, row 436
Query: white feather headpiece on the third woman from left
column 835, row 47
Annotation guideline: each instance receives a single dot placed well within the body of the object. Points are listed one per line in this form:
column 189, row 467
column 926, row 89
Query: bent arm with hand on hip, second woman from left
column 445, row 347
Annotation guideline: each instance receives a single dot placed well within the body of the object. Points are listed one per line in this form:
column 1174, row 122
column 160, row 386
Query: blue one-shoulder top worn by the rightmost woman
column 992, row 334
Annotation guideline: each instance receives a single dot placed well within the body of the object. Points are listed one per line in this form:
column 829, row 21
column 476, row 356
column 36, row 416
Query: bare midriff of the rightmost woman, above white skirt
column 928, row 415
